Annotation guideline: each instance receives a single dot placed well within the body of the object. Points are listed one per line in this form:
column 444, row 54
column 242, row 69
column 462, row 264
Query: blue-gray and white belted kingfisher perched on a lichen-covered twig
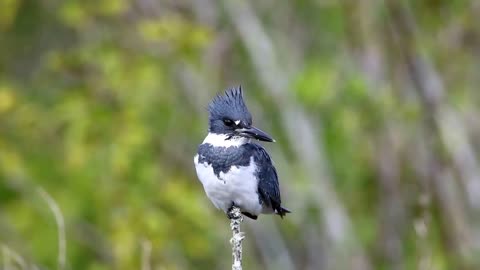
column 234, row 170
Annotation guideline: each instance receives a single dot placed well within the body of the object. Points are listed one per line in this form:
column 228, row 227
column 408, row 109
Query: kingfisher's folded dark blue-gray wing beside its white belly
column 268, row 186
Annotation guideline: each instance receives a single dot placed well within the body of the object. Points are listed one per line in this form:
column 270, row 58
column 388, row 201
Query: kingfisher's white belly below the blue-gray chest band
column 238, row 185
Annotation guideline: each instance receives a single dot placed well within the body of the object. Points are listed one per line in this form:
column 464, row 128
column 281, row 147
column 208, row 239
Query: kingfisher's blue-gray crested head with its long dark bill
column 228, row 115
